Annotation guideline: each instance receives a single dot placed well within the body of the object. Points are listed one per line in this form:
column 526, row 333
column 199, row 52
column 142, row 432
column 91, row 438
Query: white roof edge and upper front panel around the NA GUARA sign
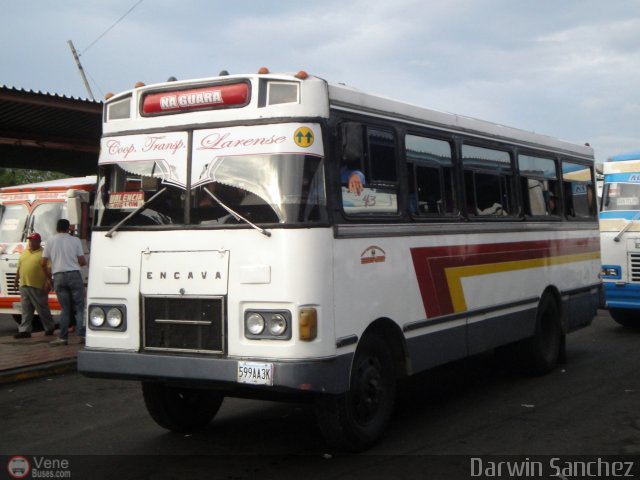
column 315, row 91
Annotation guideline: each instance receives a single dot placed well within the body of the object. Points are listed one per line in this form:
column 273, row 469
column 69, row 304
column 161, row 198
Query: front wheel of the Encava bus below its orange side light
column 357, row 419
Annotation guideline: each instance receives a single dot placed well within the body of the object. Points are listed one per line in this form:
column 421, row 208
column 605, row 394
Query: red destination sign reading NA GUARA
column 196, row 99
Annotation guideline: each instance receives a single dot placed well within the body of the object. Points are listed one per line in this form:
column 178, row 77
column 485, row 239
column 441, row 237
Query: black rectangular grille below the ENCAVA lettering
column 183, row 324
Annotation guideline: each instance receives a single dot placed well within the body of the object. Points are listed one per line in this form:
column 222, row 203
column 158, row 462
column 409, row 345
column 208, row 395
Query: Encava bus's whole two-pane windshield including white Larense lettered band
column 265, row 174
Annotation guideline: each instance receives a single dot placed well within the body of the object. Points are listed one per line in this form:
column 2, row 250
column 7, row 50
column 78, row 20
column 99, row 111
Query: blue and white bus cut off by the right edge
column 620, row 238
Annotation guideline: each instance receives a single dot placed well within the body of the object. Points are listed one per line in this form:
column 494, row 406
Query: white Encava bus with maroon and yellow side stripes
column 231, row 259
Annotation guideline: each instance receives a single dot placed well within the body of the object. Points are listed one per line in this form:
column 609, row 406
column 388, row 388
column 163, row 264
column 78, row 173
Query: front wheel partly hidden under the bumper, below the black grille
column 180, row 409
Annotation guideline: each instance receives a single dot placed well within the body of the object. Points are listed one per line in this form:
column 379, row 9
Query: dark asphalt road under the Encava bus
column 588, row 406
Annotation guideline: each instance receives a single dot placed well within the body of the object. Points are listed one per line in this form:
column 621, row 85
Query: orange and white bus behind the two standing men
column 36, row 207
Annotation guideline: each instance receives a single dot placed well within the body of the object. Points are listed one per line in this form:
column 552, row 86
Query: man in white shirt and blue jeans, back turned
column 66, row 256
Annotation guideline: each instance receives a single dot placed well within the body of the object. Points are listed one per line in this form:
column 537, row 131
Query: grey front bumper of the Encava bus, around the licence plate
column 318, row 375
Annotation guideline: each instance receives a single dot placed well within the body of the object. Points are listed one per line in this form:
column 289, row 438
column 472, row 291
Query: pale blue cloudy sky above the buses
column 566, row 68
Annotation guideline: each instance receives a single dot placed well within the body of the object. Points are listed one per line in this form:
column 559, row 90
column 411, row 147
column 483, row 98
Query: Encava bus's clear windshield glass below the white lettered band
column 262, row 188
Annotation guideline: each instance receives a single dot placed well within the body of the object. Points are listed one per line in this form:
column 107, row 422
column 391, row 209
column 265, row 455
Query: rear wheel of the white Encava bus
column 540, row 353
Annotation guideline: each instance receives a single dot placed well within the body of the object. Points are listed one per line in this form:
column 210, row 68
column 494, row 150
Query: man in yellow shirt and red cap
column 34, row 288
